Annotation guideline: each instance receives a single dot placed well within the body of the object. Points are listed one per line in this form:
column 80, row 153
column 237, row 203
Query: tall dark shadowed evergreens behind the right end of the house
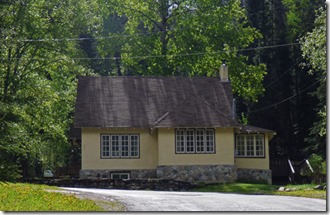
column 286, row 106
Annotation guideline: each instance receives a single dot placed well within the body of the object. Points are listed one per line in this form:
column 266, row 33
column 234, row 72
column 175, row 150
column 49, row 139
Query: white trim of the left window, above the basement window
column 119, row 156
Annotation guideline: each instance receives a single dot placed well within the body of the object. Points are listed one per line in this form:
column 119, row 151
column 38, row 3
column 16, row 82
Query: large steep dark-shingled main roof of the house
column 153, row 102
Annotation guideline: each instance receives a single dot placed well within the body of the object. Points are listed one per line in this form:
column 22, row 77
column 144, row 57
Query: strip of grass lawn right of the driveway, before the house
column 246, row 188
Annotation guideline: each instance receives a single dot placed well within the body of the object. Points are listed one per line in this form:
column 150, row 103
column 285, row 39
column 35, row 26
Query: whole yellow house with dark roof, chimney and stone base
column 180, row 128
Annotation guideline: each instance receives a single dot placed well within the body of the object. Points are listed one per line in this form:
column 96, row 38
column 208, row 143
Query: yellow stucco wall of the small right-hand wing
column 255, row 163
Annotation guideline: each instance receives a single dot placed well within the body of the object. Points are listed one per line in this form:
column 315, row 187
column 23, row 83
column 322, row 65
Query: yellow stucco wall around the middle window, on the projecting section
column 224, row 149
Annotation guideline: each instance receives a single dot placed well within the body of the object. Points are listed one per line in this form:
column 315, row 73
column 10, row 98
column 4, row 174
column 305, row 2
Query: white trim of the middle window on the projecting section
column 204, row 151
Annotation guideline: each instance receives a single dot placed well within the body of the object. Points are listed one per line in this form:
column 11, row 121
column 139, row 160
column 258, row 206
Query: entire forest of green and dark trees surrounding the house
column 275, row 50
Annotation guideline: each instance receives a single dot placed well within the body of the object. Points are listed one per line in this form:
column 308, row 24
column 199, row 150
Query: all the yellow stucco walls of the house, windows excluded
column 158, row 148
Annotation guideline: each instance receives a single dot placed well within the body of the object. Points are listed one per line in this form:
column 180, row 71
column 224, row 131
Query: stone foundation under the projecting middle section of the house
column 196, row 173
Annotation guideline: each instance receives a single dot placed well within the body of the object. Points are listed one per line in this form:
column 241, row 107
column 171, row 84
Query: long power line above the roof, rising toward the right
column 162, row 56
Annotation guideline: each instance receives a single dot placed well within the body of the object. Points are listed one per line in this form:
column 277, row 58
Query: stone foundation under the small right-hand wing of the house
column 255, row 175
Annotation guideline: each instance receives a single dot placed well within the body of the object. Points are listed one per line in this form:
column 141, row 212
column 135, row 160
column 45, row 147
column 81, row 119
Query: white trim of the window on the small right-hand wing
column 254, row 146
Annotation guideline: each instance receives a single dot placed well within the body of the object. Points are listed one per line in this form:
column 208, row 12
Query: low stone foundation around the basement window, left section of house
column 105, row 174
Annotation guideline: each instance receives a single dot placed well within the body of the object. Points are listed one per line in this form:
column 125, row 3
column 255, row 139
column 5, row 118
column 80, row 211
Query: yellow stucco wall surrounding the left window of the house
column 91, row 158
